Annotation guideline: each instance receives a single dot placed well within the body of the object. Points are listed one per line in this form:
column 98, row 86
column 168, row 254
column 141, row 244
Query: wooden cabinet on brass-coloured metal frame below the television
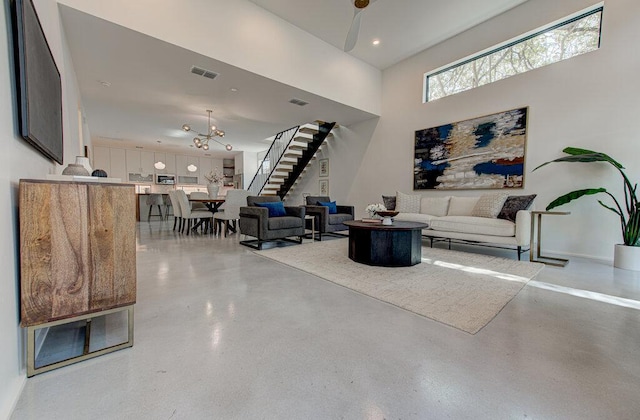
column 77, row 253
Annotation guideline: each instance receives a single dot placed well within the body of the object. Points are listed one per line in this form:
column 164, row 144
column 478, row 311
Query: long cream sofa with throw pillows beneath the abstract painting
column 466, row 219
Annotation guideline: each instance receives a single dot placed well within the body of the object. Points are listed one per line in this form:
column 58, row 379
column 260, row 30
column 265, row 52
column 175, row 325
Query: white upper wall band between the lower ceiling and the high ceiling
column 244, row 35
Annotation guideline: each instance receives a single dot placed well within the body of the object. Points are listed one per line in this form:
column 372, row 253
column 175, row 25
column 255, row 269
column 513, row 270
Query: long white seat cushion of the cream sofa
column 473, row 225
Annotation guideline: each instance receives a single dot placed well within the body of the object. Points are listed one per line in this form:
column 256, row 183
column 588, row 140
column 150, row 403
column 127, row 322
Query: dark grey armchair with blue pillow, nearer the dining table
column 268, row 219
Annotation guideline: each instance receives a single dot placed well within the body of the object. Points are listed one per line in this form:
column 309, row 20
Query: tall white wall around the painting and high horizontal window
column 590, row 101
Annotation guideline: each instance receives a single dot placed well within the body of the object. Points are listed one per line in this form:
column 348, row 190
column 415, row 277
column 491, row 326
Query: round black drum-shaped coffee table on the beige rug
column 396, row 245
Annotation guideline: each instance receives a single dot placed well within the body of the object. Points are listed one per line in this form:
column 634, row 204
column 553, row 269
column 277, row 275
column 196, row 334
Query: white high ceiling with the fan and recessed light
column 404, row 27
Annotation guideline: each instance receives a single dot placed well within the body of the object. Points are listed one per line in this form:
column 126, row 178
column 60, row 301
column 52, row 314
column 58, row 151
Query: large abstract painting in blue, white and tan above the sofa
column 481, row 153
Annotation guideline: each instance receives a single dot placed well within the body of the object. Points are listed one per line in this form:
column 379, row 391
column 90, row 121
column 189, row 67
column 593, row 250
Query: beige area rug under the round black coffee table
column 460, row 289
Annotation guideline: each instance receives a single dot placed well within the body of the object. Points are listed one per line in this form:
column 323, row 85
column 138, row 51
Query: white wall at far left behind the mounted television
column 19, row 160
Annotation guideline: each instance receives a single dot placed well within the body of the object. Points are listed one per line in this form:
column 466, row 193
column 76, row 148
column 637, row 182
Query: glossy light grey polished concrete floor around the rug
column 221, row 333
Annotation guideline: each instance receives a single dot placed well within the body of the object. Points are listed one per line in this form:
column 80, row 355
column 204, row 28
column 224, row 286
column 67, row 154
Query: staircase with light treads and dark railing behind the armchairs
column 288, row 157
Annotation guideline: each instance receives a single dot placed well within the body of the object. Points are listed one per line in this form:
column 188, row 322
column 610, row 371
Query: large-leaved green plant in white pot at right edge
column 627, row 255
